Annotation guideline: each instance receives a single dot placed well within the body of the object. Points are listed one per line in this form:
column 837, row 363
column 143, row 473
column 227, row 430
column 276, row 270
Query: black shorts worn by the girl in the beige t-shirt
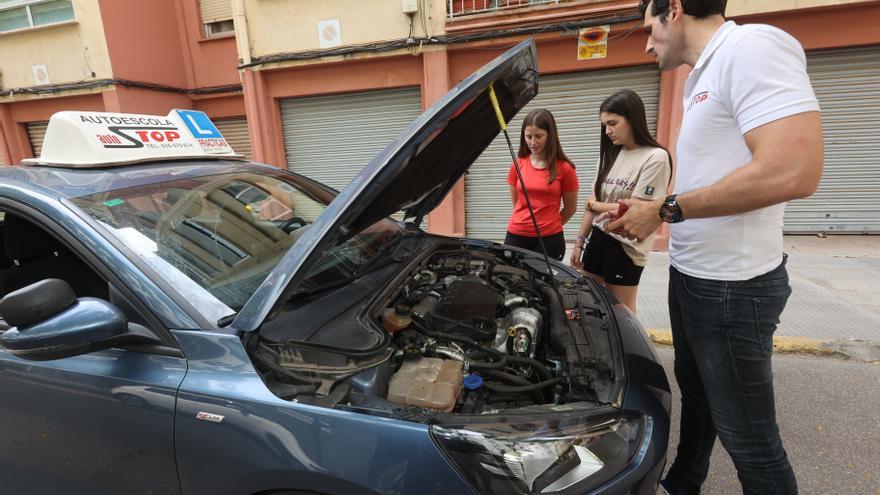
column 604, row 256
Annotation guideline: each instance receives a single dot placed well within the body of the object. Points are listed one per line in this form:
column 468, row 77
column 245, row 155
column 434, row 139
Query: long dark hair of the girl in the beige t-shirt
column 628, row 105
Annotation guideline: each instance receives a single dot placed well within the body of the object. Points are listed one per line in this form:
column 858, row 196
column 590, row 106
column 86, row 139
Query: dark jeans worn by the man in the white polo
column 723, row 338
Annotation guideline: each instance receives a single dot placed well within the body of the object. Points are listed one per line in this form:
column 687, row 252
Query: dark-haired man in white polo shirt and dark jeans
column 750, row 140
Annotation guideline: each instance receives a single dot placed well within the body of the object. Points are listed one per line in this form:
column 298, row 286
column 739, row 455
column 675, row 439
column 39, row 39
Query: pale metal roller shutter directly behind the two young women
column 574, row 100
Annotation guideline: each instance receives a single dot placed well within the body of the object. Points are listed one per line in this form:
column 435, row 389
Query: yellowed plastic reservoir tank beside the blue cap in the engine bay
column 428, row 382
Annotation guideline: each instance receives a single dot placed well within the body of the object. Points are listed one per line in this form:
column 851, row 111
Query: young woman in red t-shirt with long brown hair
column 551, row 184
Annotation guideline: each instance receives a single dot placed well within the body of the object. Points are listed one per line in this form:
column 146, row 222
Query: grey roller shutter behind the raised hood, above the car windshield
column 331, row 138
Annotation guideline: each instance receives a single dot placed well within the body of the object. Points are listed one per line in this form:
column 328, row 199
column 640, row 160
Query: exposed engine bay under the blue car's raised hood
column 464, row 330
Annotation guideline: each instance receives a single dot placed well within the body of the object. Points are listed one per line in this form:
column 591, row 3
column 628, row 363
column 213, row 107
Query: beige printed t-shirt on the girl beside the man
column 640, row 173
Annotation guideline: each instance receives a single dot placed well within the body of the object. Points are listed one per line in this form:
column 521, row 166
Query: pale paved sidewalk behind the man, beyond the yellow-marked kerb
column 835, row 289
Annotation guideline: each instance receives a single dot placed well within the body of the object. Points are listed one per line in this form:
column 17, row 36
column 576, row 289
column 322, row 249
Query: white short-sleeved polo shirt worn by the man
column 746, row 77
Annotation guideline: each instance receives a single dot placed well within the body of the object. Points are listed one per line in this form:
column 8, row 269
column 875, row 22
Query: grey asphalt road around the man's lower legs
column 829, row 416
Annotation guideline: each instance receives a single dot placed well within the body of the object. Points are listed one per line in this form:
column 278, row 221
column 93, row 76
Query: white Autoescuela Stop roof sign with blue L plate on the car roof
column 102, row 139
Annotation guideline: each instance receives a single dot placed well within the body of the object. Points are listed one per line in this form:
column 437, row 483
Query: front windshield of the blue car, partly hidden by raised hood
column 216, row 238
